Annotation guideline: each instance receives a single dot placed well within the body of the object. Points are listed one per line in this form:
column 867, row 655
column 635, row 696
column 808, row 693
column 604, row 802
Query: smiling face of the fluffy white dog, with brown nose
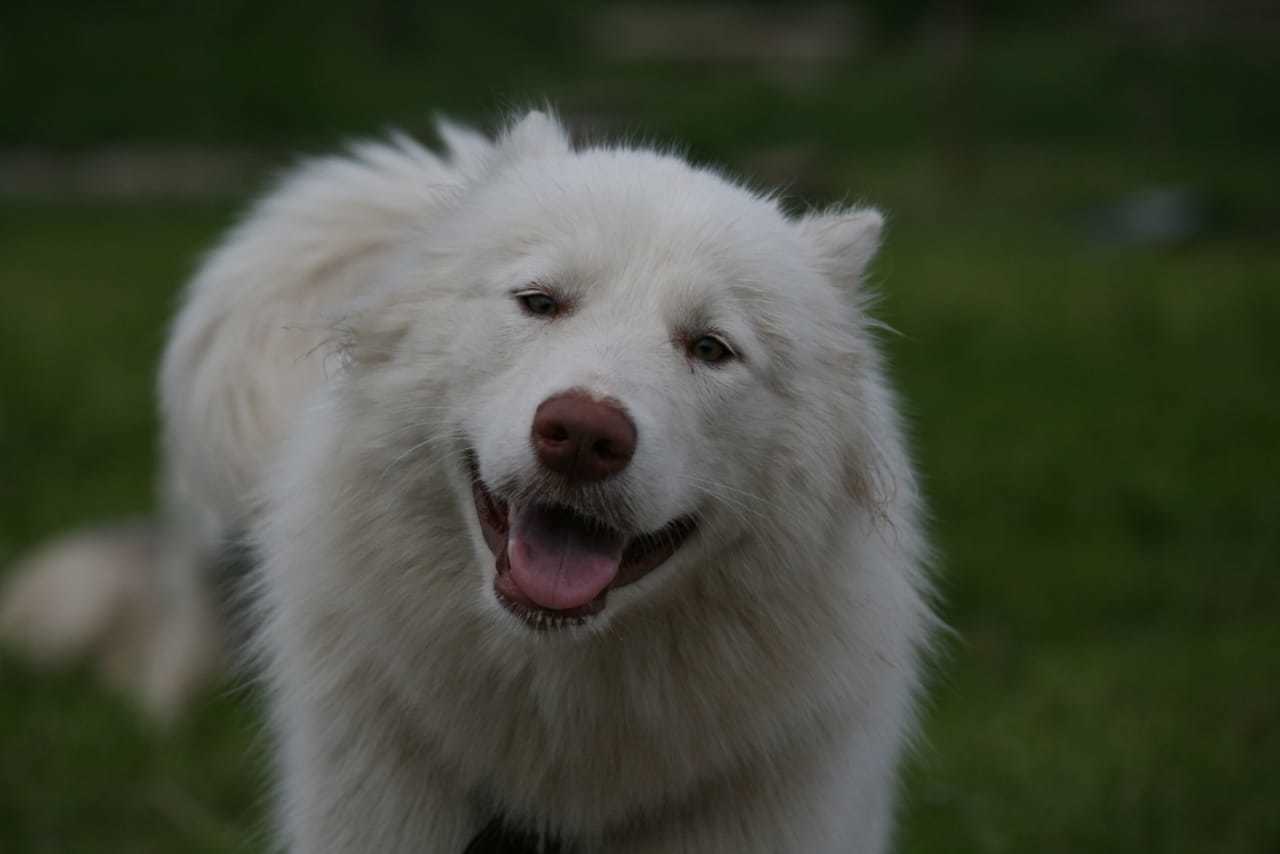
column 629, row 353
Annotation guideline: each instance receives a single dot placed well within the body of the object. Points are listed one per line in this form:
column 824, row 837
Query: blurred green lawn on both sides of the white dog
column 1098, row 428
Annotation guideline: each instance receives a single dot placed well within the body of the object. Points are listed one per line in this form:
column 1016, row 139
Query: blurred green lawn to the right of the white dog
column 1099, row 432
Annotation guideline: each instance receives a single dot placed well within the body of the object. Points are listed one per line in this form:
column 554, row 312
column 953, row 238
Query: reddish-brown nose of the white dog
column 583, row 439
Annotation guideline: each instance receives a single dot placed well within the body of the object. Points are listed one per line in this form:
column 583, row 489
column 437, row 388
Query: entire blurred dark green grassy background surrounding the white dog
column 1084, row 262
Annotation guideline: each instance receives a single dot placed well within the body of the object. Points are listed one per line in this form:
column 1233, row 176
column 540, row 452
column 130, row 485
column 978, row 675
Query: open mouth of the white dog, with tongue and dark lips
column 556, row 567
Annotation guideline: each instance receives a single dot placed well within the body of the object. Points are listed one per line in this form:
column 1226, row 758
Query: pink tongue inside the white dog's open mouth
column 557, row 560
